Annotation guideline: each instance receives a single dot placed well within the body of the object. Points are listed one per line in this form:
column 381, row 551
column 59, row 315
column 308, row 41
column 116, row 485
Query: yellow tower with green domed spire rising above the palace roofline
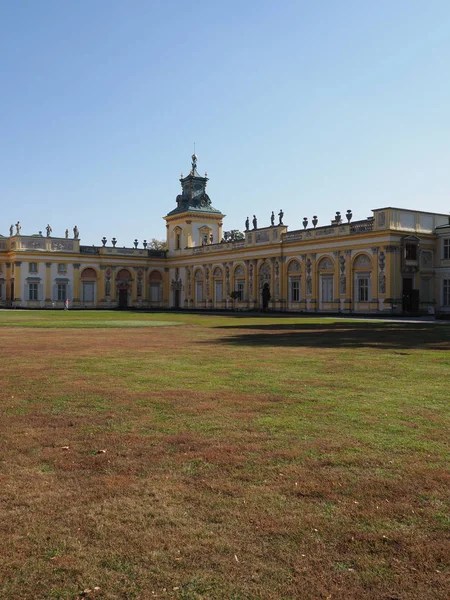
column 194, row 221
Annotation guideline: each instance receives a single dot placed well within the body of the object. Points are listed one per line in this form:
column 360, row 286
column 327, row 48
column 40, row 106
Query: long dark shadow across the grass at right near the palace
column 340, row 335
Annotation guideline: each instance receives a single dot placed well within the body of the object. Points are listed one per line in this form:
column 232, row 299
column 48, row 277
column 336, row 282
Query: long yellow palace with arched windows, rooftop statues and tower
column 395, row 261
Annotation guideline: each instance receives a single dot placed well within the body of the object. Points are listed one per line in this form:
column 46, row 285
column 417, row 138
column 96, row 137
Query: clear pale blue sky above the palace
column 311, row 107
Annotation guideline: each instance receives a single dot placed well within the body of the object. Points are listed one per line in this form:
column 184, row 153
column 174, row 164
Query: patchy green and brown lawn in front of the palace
column 235, row 457
